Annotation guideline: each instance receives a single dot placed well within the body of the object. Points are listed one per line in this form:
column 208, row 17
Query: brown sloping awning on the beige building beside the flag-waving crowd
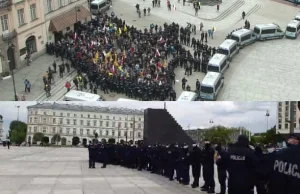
column 68, row 18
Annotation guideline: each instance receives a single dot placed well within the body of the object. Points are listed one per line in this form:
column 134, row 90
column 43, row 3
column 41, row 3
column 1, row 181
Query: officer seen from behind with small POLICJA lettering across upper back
column 241, row 164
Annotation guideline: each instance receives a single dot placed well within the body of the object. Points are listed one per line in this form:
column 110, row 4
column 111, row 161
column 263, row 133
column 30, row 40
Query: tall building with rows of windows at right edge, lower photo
column 283, row 118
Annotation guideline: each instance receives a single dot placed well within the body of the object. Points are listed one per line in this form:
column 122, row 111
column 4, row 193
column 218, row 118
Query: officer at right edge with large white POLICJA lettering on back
column 284, row 174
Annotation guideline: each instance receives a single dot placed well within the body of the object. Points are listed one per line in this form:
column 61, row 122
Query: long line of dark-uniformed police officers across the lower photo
column 245, row 166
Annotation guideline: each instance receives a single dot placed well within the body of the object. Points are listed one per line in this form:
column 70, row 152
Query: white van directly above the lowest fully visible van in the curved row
column 218, row 63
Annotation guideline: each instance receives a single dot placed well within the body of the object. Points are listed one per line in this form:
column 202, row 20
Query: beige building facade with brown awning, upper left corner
column 29, row 24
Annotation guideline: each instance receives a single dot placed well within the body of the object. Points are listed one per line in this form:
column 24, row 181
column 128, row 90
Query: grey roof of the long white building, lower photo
column 82, row 108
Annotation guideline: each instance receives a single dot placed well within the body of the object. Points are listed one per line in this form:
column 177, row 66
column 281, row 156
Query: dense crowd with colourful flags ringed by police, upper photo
column 114, row 57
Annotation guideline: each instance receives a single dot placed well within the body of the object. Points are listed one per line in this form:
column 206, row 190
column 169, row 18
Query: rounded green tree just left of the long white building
column 17, row 132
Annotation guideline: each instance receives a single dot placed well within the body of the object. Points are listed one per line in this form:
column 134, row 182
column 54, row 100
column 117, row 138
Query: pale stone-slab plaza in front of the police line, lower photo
column 37, row 170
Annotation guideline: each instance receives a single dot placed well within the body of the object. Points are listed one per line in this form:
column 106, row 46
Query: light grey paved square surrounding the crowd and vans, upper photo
column 262, row 71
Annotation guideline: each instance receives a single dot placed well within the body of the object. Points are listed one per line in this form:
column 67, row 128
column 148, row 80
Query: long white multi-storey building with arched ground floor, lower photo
column 69, row 120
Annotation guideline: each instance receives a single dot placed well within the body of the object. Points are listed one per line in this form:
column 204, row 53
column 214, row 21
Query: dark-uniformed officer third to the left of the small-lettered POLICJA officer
column 196, row 165
